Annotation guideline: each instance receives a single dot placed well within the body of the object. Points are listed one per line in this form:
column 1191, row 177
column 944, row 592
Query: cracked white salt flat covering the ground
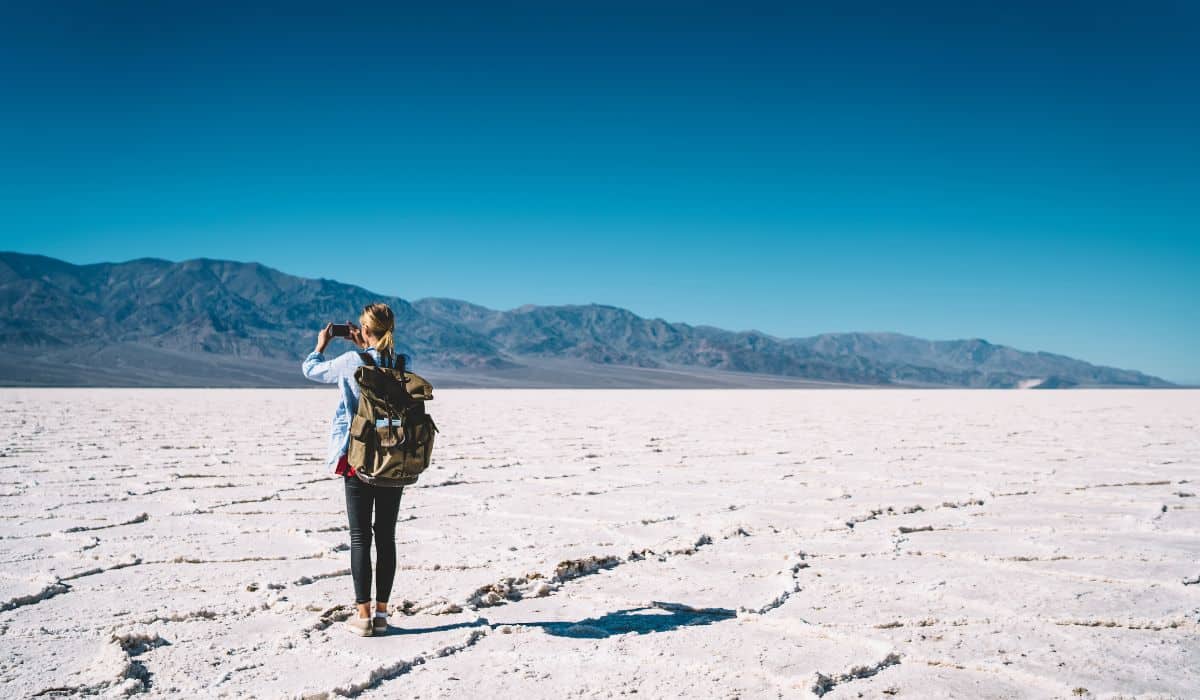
column 699, row 545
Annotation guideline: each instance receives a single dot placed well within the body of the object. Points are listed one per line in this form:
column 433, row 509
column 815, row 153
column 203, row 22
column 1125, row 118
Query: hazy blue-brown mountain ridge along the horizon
column 203, row 322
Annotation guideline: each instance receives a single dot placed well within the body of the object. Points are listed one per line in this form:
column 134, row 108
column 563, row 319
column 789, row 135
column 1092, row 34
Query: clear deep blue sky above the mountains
column 1025, row 173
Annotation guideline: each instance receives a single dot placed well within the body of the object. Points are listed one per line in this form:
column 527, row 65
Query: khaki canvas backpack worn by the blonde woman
column 392, row 436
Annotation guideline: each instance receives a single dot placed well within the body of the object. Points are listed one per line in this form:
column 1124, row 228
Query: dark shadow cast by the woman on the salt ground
column 655, row 618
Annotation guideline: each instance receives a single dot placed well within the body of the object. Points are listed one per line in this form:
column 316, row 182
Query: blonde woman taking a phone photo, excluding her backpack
column 374, row 336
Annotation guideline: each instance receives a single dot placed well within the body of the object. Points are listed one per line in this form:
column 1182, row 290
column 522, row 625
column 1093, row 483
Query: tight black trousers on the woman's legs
column 361, row 498
